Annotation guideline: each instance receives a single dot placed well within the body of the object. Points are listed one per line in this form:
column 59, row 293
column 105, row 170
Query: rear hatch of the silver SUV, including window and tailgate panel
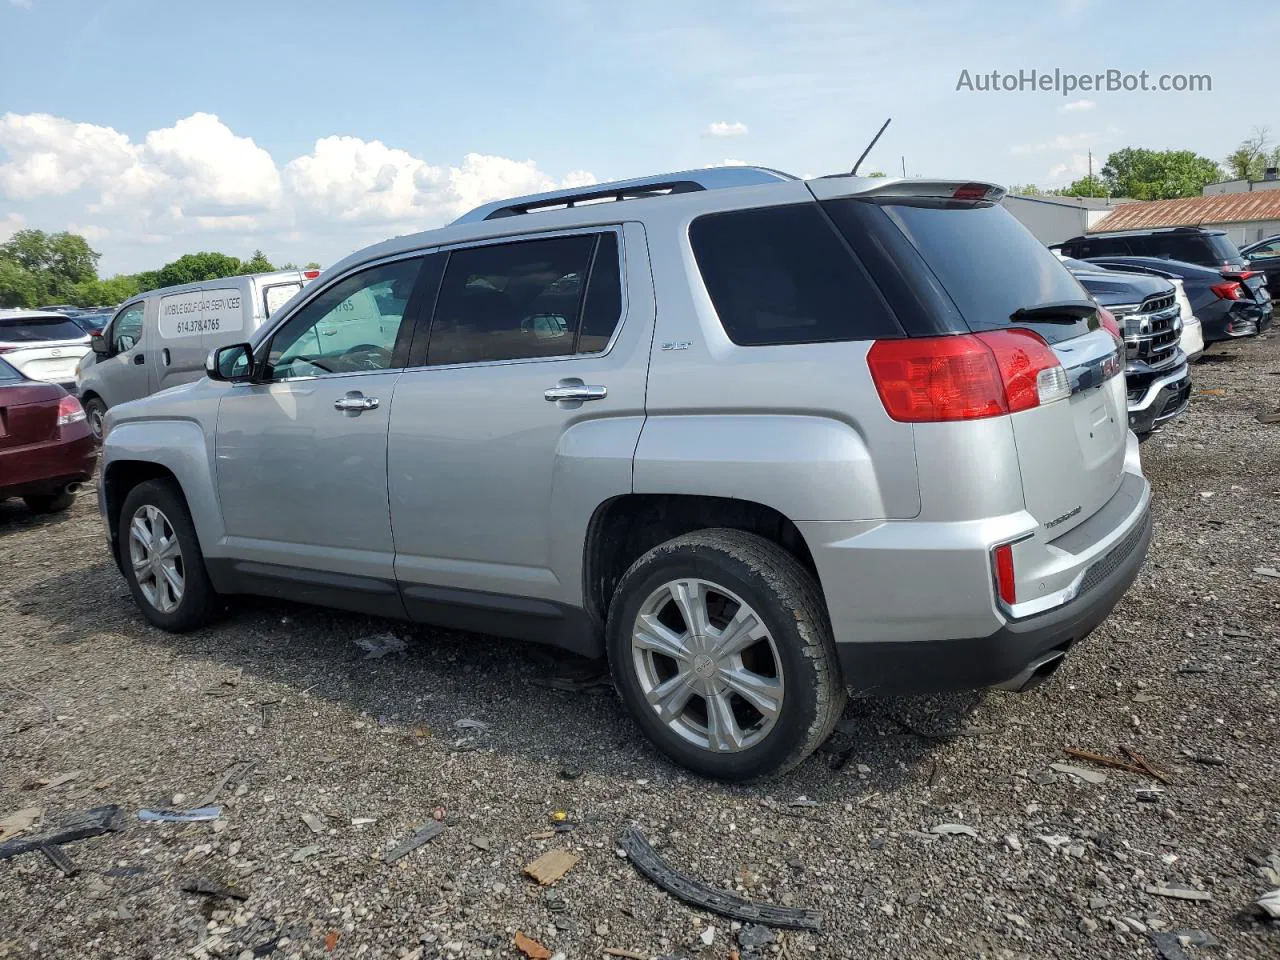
column 988, row 269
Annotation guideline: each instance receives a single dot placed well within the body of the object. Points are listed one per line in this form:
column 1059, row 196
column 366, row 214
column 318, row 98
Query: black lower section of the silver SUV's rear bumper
column 939, row 666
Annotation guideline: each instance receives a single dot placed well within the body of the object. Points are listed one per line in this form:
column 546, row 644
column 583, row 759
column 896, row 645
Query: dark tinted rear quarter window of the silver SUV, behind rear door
column 784, row 276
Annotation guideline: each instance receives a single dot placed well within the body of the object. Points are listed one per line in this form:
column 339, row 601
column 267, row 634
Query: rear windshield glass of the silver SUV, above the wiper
column 990, row 264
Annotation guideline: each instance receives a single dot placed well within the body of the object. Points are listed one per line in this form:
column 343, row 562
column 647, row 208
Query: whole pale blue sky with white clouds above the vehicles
column 310, row 130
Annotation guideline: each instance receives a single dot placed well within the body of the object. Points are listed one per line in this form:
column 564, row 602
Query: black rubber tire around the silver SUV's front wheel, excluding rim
column 199, row 605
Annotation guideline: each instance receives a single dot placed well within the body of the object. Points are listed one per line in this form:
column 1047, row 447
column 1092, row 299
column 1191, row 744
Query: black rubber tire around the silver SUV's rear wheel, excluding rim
column 787, row 600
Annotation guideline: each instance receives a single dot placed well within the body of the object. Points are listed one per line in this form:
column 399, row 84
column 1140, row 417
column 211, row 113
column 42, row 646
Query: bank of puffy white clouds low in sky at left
column 199, row 177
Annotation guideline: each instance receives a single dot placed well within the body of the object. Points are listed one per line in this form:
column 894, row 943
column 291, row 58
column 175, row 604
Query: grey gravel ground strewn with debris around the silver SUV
column 1187, row 665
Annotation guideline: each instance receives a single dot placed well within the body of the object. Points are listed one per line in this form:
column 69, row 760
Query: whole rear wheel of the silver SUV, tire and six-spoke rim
column 721, row 648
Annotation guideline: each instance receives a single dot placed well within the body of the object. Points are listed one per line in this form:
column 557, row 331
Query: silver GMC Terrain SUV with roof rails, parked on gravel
column 760, row 441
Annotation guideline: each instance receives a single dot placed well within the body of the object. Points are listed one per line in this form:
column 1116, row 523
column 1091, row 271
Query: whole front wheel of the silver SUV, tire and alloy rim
column 163, row 563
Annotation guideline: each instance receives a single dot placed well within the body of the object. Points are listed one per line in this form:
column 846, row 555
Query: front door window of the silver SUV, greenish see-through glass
column 350, row 328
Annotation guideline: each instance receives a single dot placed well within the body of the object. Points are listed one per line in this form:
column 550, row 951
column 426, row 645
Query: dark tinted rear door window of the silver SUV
column 511, row 301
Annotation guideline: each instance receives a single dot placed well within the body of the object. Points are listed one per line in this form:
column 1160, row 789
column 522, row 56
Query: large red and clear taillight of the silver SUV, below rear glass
column 970, row 377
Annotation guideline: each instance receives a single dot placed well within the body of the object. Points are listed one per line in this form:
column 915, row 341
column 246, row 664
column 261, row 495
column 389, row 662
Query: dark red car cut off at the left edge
column 47, row 449
